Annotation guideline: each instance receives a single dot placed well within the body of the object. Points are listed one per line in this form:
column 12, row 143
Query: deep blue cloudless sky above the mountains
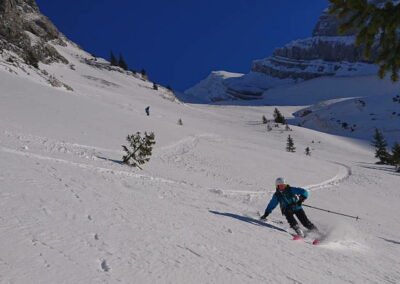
column 179, row 42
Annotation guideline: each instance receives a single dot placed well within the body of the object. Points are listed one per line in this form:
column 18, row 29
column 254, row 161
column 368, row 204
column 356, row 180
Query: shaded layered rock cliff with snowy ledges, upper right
column 326, row 53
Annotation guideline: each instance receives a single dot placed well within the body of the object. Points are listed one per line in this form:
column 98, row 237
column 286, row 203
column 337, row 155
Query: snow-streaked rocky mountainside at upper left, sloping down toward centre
column 31, row 46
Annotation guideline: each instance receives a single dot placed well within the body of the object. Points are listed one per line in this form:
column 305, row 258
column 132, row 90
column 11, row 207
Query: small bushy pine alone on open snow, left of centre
column 140, row 149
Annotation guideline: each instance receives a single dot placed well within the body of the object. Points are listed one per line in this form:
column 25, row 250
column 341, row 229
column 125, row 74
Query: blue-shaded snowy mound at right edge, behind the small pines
column 357, row 117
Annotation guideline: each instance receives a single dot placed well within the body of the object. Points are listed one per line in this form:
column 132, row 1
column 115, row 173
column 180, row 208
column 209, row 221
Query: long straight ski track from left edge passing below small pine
column 85, row 166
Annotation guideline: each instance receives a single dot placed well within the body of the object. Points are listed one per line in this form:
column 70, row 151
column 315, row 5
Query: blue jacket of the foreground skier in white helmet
column 285, row 198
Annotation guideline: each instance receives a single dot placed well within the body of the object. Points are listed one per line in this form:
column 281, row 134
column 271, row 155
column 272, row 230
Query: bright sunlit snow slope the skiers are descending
column 72, row 213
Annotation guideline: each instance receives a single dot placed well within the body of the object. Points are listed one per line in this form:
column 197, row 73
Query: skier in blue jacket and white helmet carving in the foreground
column 290, row 199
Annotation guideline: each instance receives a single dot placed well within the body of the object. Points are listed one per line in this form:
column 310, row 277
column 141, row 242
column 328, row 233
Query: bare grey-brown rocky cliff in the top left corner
column 26, row 32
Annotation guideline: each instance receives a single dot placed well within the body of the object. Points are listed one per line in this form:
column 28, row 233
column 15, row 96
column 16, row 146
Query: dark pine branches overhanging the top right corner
column 376, row 26
